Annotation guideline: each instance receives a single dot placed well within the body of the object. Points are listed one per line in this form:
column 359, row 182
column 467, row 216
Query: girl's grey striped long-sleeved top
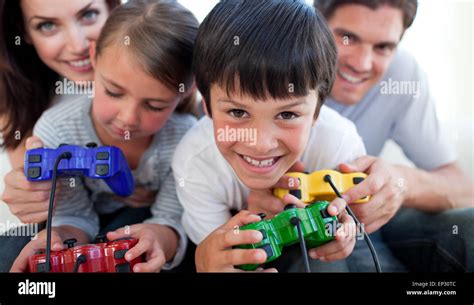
column 79, row 205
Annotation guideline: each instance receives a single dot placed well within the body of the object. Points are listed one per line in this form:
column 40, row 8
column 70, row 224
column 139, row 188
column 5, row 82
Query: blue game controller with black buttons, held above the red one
column 105, row 162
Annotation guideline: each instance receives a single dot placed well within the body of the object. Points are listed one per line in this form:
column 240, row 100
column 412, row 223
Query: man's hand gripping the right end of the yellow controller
column 385, row 183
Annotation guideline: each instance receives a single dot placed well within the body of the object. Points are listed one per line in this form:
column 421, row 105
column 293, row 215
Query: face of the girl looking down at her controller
column 129, row 105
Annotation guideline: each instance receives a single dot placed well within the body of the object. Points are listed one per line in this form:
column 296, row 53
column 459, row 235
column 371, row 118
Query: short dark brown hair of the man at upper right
column 408, row 7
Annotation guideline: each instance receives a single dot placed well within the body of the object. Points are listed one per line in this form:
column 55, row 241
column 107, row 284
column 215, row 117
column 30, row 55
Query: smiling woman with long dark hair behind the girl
column 43, row 48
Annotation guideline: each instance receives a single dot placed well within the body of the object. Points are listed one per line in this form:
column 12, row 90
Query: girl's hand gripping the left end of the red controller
column 39, row 243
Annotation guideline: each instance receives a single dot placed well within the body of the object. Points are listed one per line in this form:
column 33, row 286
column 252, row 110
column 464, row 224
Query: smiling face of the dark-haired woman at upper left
column 61, row 32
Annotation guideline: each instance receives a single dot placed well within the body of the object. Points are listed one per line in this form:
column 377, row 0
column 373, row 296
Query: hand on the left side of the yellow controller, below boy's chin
column 263, row 201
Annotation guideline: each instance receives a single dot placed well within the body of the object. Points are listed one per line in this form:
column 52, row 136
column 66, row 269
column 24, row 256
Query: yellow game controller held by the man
column 313, row 187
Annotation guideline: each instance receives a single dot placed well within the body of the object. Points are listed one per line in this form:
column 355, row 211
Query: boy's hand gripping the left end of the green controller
column 215, row 253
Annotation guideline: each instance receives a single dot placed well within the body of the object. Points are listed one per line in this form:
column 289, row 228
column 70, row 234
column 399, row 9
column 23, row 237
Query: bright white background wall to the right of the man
column 441, row 38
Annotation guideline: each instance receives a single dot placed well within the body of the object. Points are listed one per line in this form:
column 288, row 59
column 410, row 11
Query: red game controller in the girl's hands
column 103, row 256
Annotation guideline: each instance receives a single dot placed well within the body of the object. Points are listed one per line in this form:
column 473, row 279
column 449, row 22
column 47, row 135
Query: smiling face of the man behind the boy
column 366, row 40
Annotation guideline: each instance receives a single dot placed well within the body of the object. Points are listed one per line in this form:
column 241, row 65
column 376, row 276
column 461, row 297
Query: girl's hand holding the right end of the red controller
column 158, row 242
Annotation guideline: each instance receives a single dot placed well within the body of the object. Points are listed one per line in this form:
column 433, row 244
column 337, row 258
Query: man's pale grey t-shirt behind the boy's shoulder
column 401, row 108
